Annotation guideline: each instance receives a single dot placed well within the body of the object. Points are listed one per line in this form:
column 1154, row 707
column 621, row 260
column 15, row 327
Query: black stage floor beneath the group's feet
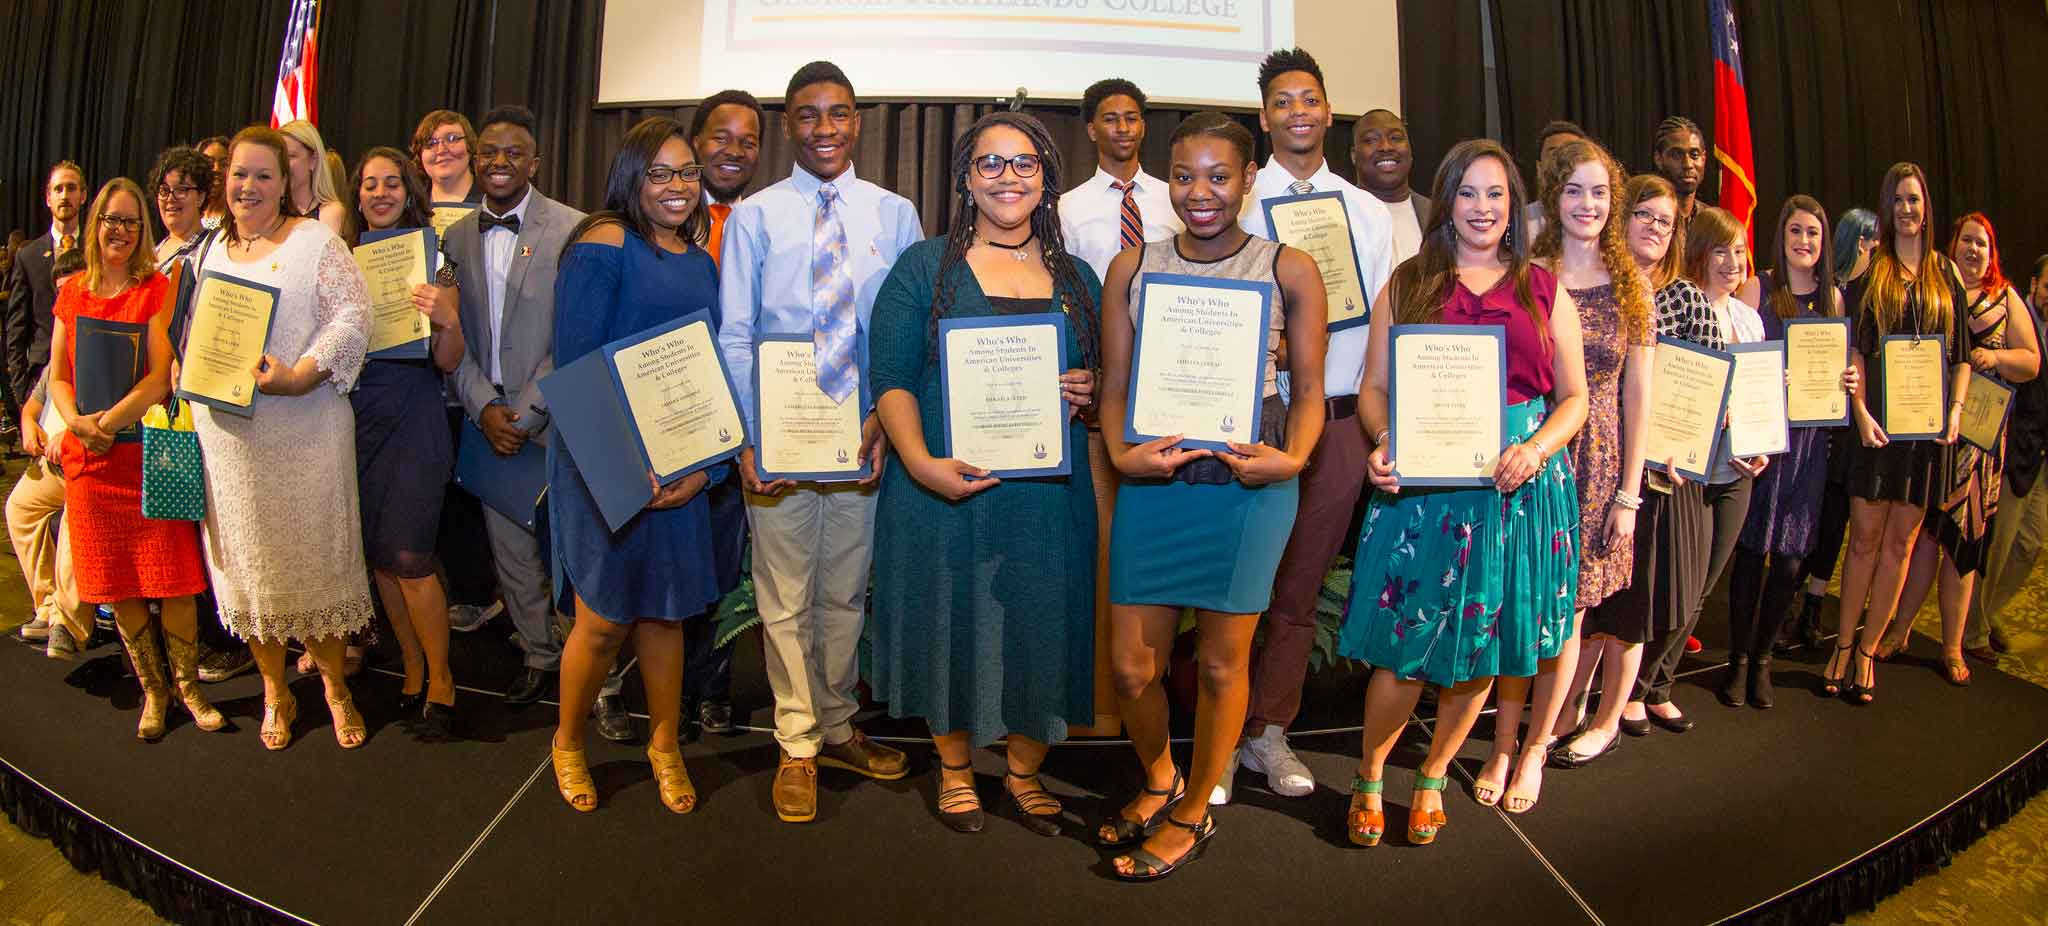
column 1797, row 814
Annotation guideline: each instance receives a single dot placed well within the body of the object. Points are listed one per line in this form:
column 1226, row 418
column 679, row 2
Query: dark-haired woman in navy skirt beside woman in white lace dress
column 402, row 437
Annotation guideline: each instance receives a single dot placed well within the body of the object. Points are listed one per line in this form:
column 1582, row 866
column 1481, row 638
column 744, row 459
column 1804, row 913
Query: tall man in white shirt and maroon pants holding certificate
column 1295, row 118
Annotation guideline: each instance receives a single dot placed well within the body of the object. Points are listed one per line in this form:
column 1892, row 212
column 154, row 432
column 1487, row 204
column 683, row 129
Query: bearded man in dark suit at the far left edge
column 34, row 290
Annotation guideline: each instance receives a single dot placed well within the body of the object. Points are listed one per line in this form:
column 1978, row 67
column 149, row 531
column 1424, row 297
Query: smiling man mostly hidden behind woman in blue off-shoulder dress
column 728, row 138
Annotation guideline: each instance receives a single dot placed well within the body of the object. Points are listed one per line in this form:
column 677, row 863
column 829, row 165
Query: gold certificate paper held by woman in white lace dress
column 224, row 341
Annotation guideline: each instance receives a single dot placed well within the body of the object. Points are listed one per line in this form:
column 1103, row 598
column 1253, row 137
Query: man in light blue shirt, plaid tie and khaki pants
column 814, row 544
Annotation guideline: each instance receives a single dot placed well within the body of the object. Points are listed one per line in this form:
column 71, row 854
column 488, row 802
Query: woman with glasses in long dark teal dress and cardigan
column 984, row 589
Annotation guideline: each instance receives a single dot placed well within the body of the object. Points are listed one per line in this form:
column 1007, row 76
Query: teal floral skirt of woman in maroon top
column 1459, row 585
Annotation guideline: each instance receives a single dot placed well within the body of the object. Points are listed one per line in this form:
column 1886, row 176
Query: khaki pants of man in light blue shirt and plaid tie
column 812, row 554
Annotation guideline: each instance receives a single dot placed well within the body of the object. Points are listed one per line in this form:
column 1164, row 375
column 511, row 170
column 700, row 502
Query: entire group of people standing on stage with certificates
column 986, row 593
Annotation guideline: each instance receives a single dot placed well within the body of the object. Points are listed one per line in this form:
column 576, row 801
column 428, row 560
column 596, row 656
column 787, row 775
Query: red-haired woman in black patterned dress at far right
column 1959, row 523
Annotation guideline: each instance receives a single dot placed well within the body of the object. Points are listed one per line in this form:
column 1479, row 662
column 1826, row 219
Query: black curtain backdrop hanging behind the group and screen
column 1838, row 89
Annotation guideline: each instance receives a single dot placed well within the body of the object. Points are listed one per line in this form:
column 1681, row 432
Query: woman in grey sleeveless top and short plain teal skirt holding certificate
column 1201, row 528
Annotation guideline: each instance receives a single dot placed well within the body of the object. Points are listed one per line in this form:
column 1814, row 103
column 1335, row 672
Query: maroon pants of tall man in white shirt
column 1330, row 489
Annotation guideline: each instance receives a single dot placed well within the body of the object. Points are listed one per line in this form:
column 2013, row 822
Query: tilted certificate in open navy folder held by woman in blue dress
column 656, row 403
